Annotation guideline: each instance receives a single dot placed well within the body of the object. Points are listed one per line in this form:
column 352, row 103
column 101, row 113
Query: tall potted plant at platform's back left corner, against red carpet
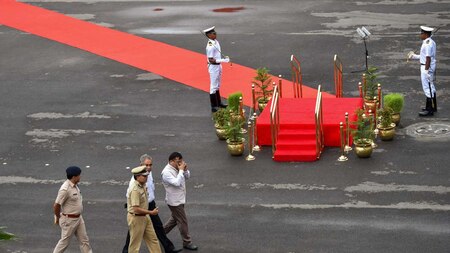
column 263, row 82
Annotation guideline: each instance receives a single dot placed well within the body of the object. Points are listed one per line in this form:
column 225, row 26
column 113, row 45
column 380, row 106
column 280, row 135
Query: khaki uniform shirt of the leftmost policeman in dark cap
column 70, row 199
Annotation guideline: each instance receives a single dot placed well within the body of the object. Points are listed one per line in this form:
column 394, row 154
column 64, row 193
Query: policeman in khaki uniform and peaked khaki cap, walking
column 139, row 222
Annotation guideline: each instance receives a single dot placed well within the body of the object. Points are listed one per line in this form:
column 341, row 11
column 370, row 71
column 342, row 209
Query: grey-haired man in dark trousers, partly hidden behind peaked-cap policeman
column 147, row 161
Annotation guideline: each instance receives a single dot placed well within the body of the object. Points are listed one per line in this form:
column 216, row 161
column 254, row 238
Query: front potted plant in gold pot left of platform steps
column 235, row 137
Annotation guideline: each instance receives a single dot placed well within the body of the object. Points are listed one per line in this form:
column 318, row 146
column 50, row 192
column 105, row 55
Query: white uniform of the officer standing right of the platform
column 428, row 49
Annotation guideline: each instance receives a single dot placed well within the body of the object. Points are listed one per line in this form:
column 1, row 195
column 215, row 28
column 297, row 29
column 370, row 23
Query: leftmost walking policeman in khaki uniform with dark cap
column 67, row 209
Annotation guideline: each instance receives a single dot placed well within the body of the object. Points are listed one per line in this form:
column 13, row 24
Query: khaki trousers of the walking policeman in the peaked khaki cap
column 141, row 227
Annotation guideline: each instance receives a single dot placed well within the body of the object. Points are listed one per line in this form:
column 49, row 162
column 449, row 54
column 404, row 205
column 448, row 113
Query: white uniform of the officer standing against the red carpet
column 215, row 70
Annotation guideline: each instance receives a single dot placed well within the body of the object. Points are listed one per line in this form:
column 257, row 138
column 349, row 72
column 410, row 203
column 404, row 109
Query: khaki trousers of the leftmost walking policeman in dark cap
column 69, row 227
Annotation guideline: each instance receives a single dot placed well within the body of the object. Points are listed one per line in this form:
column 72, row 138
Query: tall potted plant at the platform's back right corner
column 370, row 89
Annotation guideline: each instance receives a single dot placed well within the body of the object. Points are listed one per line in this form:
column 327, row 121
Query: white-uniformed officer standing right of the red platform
column 427, row 59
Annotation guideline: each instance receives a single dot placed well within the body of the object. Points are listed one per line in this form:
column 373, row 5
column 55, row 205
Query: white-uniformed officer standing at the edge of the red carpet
column 214, row 55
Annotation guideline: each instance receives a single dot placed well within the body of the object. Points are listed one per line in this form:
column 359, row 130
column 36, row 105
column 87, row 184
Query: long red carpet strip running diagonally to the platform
column 171, row 62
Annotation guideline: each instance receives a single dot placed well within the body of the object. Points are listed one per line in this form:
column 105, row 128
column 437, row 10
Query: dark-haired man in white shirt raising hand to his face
column 173, row 178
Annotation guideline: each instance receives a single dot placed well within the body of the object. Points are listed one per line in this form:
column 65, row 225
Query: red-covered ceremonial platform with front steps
column 296, row 139
